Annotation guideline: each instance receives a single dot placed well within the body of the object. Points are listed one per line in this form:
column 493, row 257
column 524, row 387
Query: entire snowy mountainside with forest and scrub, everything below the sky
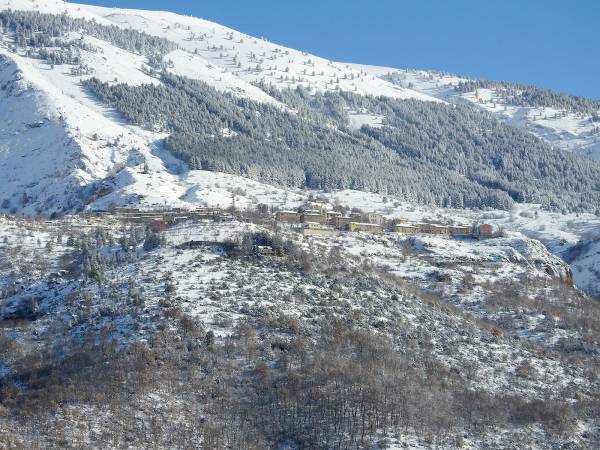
column 169, row 328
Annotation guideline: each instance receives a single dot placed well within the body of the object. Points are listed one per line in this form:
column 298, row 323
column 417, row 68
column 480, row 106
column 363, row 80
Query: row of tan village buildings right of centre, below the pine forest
column 326, row 223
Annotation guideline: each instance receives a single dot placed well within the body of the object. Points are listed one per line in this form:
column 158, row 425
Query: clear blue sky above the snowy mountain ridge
column 548, row 43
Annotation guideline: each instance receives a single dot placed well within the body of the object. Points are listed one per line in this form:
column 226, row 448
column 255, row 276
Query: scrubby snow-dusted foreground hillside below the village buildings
column 487, row 313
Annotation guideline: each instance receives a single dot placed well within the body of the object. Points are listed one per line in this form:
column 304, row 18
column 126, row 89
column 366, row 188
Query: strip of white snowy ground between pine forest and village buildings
column 573, row 237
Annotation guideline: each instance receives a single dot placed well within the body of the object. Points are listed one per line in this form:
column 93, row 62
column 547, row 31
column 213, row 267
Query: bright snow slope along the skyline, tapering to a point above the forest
column 227, row 59
